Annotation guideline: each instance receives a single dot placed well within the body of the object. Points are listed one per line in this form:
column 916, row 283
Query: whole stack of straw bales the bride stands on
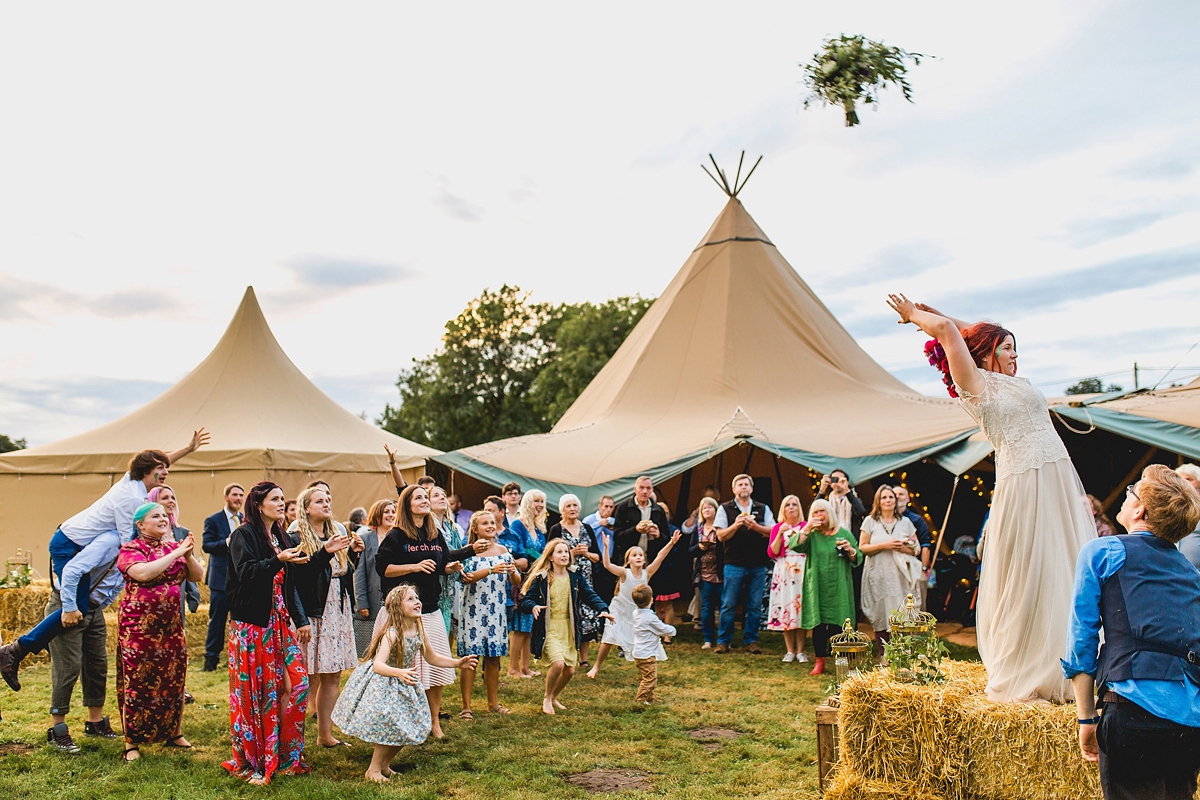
column 901, row 742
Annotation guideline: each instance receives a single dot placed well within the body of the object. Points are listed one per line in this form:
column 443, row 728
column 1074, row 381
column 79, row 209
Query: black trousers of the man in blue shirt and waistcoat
column 1144, row 757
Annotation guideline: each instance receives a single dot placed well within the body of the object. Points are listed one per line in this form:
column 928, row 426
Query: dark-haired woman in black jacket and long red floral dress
column 268, row 681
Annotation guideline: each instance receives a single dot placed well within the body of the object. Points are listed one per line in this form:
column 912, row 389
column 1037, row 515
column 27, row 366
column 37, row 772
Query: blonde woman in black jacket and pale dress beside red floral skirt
column 326, row 587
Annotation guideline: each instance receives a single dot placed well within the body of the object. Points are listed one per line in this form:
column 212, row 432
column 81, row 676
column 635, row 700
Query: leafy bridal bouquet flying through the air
column 853, row 69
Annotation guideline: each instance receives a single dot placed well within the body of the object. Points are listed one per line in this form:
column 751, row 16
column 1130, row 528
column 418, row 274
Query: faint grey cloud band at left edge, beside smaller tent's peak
column 23, row 300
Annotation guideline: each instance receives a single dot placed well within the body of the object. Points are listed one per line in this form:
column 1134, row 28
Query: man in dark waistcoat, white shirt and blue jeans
column 745, row 527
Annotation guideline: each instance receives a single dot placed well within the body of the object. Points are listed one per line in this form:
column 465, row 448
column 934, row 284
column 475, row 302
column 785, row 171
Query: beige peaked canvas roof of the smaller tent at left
column 260, row 408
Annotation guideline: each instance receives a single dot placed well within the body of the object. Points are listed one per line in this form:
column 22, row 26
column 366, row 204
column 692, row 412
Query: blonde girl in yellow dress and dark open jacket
column 554, row 596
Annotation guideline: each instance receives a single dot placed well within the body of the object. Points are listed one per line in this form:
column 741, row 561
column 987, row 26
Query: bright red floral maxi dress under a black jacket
column 266, row 726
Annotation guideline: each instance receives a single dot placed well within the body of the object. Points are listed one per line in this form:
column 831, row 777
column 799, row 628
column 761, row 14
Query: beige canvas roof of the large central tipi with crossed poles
column 737, row 348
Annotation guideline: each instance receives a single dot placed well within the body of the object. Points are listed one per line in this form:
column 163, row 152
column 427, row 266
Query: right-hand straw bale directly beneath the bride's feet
column 1023, row 751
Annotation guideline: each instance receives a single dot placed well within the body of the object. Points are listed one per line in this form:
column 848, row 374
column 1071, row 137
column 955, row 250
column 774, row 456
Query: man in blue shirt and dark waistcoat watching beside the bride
column 1147, row 597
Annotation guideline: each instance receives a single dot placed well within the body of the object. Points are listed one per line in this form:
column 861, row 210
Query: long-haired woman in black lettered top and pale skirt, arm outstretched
column 417, row 554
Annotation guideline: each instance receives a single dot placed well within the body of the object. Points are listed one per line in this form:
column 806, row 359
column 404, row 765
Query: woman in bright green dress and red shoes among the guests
column 829, row 594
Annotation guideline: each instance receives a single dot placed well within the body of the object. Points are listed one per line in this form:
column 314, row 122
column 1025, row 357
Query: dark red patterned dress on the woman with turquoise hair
column 152, row 652
